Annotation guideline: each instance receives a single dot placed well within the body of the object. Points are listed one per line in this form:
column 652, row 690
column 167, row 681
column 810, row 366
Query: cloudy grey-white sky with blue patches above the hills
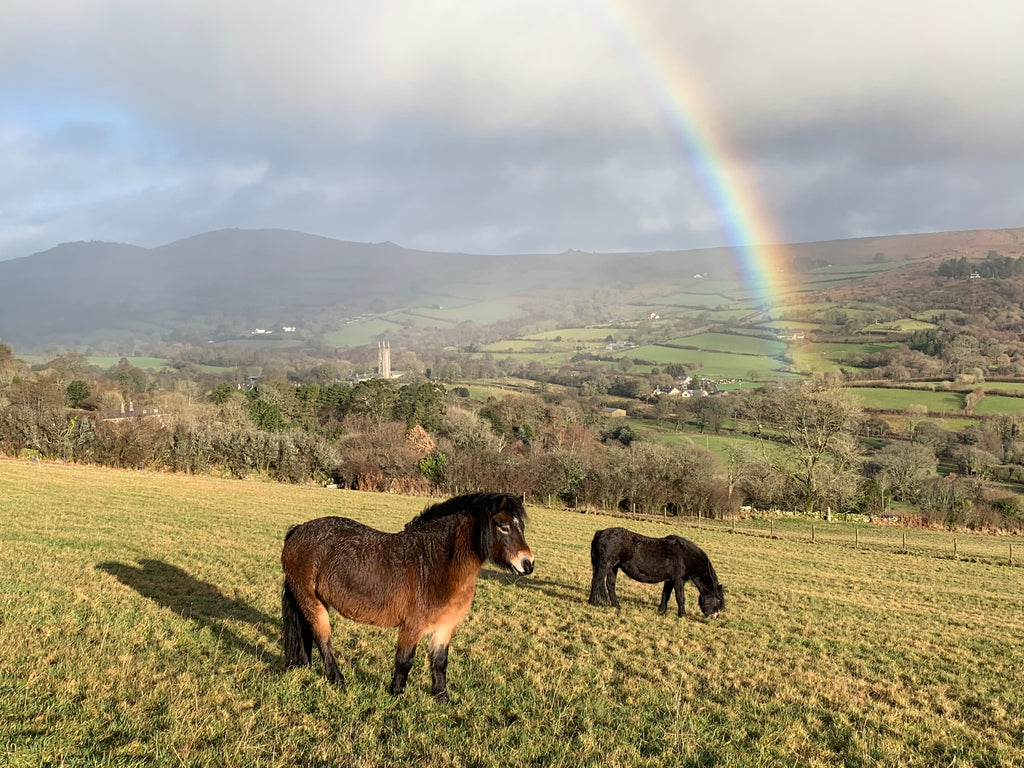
column 509, row 126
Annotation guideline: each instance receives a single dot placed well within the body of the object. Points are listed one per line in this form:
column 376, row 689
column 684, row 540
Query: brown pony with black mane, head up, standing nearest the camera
column 421, row 580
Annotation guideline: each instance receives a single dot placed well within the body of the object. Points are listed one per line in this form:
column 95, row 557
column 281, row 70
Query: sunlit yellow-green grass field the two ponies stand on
column 141, row 626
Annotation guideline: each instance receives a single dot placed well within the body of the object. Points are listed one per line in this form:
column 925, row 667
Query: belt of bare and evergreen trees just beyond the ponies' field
column 806, row 446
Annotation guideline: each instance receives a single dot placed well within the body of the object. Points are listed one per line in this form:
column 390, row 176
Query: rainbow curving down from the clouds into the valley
column 694, row 127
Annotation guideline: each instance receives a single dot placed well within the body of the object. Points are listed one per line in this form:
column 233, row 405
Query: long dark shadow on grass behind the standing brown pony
column 200, row 602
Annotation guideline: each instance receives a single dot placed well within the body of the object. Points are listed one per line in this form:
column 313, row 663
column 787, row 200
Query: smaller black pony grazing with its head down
column 674, row 561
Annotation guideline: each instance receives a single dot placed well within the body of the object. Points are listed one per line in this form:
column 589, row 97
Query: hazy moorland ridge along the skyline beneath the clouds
column 228, row 281
